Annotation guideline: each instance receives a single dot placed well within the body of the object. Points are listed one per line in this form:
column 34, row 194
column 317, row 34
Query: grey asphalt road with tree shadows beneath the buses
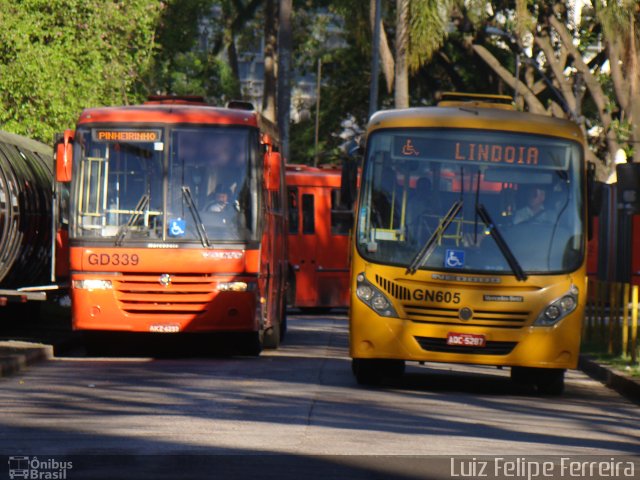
column 184, row 413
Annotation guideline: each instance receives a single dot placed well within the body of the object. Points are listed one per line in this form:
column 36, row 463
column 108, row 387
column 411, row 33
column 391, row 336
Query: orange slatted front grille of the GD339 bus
column 181, row 295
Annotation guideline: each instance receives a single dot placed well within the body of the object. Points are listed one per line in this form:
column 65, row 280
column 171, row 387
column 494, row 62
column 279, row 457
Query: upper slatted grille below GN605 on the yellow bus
column 451, row 316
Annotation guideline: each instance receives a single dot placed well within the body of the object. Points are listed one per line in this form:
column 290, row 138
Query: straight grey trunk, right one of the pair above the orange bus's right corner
column 284, row 75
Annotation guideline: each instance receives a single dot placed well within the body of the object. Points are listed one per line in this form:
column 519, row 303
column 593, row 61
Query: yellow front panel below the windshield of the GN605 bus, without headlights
column 478, row 323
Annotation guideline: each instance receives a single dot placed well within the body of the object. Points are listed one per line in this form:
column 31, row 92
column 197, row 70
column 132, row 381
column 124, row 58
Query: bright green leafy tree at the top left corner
column 60, row 56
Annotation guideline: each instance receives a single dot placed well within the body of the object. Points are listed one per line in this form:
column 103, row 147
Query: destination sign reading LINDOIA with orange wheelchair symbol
column 483, row 151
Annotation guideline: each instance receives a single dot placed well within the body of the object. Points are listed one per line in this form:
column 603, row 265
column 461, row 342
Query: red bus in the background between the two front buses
column 318, row 238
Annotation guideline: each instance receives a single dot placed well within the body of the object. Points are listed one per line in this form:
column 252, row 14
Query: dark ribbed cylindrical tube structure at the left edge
column 26, row 179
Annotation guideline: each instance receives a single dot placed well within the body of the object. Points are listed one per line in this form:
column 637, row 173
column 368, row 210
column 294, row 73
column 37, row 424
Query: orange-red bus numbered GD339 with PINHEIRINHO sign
column 176, row 221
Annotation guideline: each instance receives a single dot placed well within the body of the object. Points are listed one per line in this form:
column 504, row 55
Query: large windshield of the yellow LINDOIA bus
column 471, row 200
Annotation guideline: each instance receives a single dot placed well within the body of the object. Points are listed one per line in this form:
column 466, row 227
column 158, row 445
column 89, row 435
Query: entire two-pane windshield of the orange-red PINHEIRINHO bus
column 186, row 184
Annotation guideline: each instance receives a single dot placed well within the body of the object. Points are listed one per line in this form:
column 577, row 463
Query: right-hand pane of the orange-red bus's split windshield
column 211, row 189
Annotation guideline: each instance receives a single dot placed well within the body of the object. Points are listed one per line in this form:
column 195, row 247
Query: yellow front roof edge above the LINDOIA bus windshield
column 474, row 117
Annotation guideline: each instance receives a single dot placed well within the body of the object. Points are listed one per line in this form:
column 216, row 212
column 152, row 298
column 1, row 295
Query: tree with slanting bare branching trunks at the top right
column 564, row 78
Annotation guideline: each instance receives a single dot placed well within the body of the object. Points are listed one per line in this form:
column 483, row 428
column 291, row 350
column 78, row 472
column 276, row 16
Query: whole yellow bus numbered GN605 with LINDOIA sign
column 469, row 244
